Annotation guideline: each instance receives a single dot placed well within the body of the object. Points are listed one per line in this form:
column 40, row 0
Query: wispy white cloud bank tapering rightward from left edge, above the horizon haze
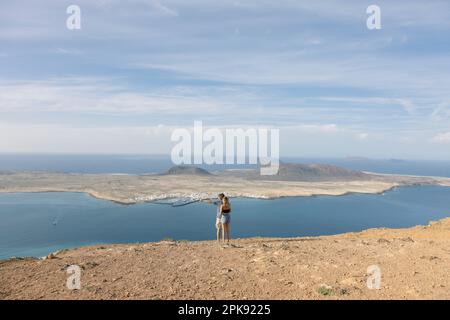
column 87, row 95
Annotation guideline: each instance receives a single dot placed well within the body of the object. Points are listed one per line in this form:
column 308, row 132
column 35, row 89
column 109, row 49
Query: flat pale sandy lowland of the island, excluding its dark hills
column 129, row 189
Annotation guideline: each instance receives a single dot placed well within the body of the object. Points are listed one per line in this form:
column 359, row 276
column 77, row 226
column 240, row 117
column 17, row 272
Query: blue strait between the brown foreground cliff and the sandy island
column 38, row 223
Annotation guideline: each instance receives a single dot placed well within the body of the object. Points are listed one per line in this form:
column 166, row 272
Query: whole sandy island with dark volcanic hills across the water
column 196, row 183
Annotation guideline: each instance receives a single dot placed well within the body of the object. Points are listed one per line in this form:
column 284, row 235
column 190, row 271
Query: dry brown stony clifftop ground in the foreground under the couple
column 414, row 264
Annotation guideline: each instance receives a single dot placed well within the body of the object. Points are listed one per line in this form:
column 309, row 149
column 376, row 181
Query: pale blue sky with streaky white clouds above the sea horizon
column 138, row 69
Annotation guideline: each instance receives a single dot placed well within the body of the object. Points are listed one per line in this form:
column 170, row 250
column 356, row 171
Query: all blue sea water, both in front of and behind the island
column 35, row 224
